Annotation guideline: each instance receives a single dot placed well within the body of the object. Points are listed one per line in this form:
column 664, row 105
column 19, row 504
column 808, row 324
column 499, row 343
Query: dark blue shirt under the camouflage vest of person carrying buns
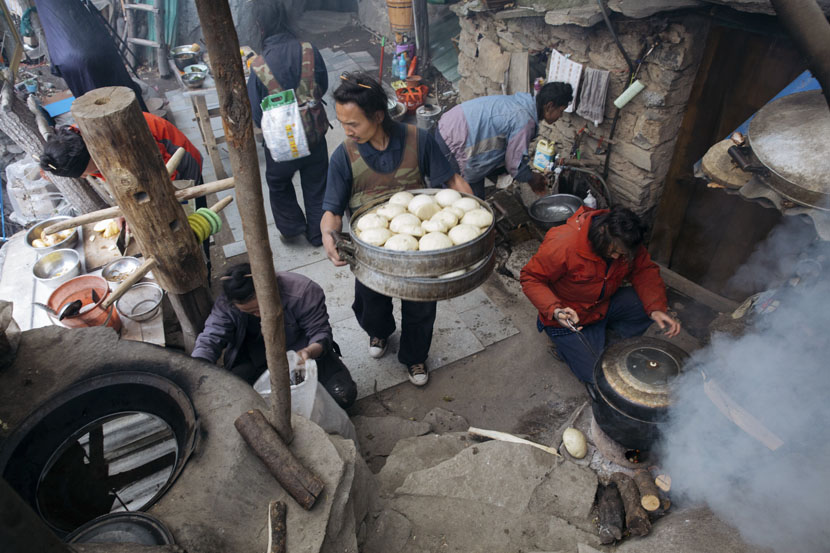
column 434, row 167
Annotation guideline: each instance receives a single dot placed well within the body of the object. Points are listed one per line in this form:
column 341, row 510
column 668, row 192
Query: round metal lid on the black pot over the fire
column 641, row 370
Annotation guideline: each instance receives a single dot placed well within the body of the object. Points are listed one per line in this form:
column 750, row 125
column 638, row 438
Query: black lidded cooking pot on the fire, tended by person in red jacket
column 631, row 390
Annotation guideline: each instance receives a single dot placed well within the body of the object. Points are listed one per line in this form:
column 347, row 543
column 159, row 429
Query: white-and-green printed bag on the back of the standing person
column 282, row 127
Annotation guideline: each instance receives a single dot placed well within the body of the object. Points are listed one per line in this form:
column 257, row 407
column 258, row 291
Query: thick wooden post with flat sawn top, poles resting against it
column 120, row 142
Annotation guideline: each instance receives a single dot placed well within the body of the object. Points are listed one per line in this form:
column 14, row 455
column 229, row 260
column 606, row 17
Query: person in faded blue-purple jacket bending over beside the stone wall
column 478, row 135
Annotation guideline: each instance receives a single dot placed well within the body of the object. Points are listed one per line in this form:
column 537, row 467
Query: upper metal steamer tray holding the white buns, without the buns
column 433, row 263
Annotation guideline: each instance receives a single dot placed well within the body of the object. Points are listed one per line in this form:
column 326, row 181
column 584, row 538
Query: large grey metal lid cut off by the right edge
column 791, row 137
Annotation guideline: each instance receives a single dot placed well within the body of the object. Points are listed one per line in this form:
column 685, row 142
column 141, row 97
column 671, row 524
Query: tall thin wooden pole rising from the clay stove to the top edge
column 223, row 47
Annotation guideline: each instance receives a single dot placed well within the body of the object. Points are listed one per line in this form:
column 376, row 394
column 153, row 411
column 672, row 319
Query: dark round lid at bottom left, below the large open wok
column 128, row 527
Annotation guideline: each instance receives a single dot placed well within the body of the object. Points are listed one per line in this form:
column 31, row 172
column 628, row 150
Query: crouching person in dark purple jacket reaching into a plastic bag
column 233, row 326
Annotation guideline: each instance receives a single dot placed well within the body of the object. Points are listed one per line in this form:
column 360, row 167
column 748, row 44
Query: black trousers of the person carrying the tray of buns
column 374, row 314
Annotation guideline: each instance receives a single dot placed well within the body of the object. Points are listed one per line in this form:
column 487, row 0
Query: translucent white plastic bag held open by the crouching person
column 310, row 399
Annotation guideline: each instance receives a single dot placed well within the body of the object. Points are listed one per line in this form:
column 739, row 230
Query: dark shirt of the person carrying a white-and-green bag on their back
column 284, row 55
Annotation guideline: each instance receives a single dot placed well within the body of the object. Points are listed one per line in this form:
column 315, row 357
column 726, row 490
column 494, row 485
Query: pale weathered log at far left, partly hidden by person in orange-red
column 19, row 124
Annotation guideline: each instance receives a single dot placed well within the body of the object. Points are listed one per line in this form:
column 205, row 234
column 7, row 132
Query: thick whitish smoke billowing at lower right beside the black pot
column 779, row 371
